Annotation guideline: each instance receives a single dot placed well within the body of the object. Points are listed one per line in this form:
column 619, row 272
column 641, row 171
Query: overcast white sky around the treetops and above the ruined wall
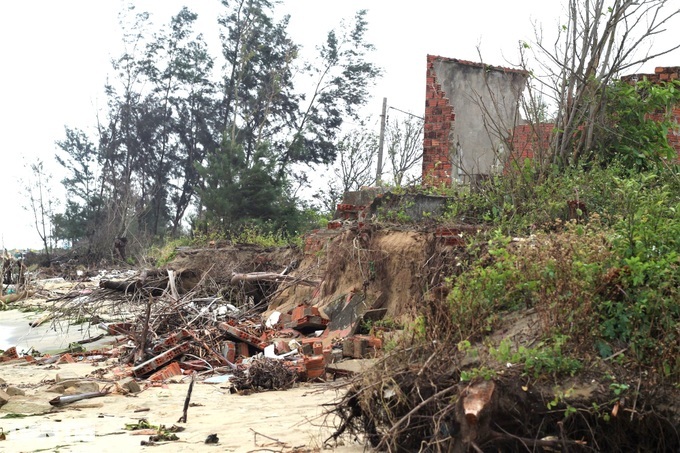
column 56, row 55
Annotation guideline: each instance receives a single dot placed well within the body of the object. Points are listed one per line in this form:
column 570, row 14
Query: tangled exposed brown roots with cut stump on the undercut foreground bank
column 414, row 401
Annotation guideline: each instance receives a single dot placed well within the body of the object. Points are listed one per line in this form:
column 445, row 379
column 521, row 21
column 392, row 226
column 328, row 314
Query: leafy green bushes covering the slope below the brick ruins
column 602, row 284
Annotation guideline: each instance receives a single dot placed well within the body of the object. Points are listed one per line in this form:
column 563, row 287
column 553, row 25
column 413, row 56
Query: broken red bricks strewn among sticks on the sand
column 301, row 339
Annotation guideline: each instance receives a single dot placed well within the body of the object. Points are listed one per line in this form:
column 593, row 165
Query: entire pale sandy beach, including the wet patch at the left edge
column 282, row 421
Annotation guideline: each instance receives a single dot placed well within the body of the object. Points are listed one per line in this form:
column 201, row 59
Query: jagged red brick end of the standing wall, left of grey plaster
column 439, row 118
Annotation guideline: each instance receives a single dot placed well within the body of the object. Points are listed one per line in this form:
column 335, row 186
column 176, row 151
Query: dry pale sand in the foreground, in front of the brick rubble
column 274, row 420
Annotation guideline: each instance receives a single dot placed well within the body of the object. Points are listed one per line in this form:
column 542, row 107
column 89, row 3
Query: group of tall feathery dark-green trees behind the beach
column 226, row 138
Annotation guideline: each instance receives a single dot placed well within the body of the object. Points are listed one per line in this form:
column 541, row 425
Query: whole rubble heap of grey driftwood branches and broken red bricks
column 165, row 334
